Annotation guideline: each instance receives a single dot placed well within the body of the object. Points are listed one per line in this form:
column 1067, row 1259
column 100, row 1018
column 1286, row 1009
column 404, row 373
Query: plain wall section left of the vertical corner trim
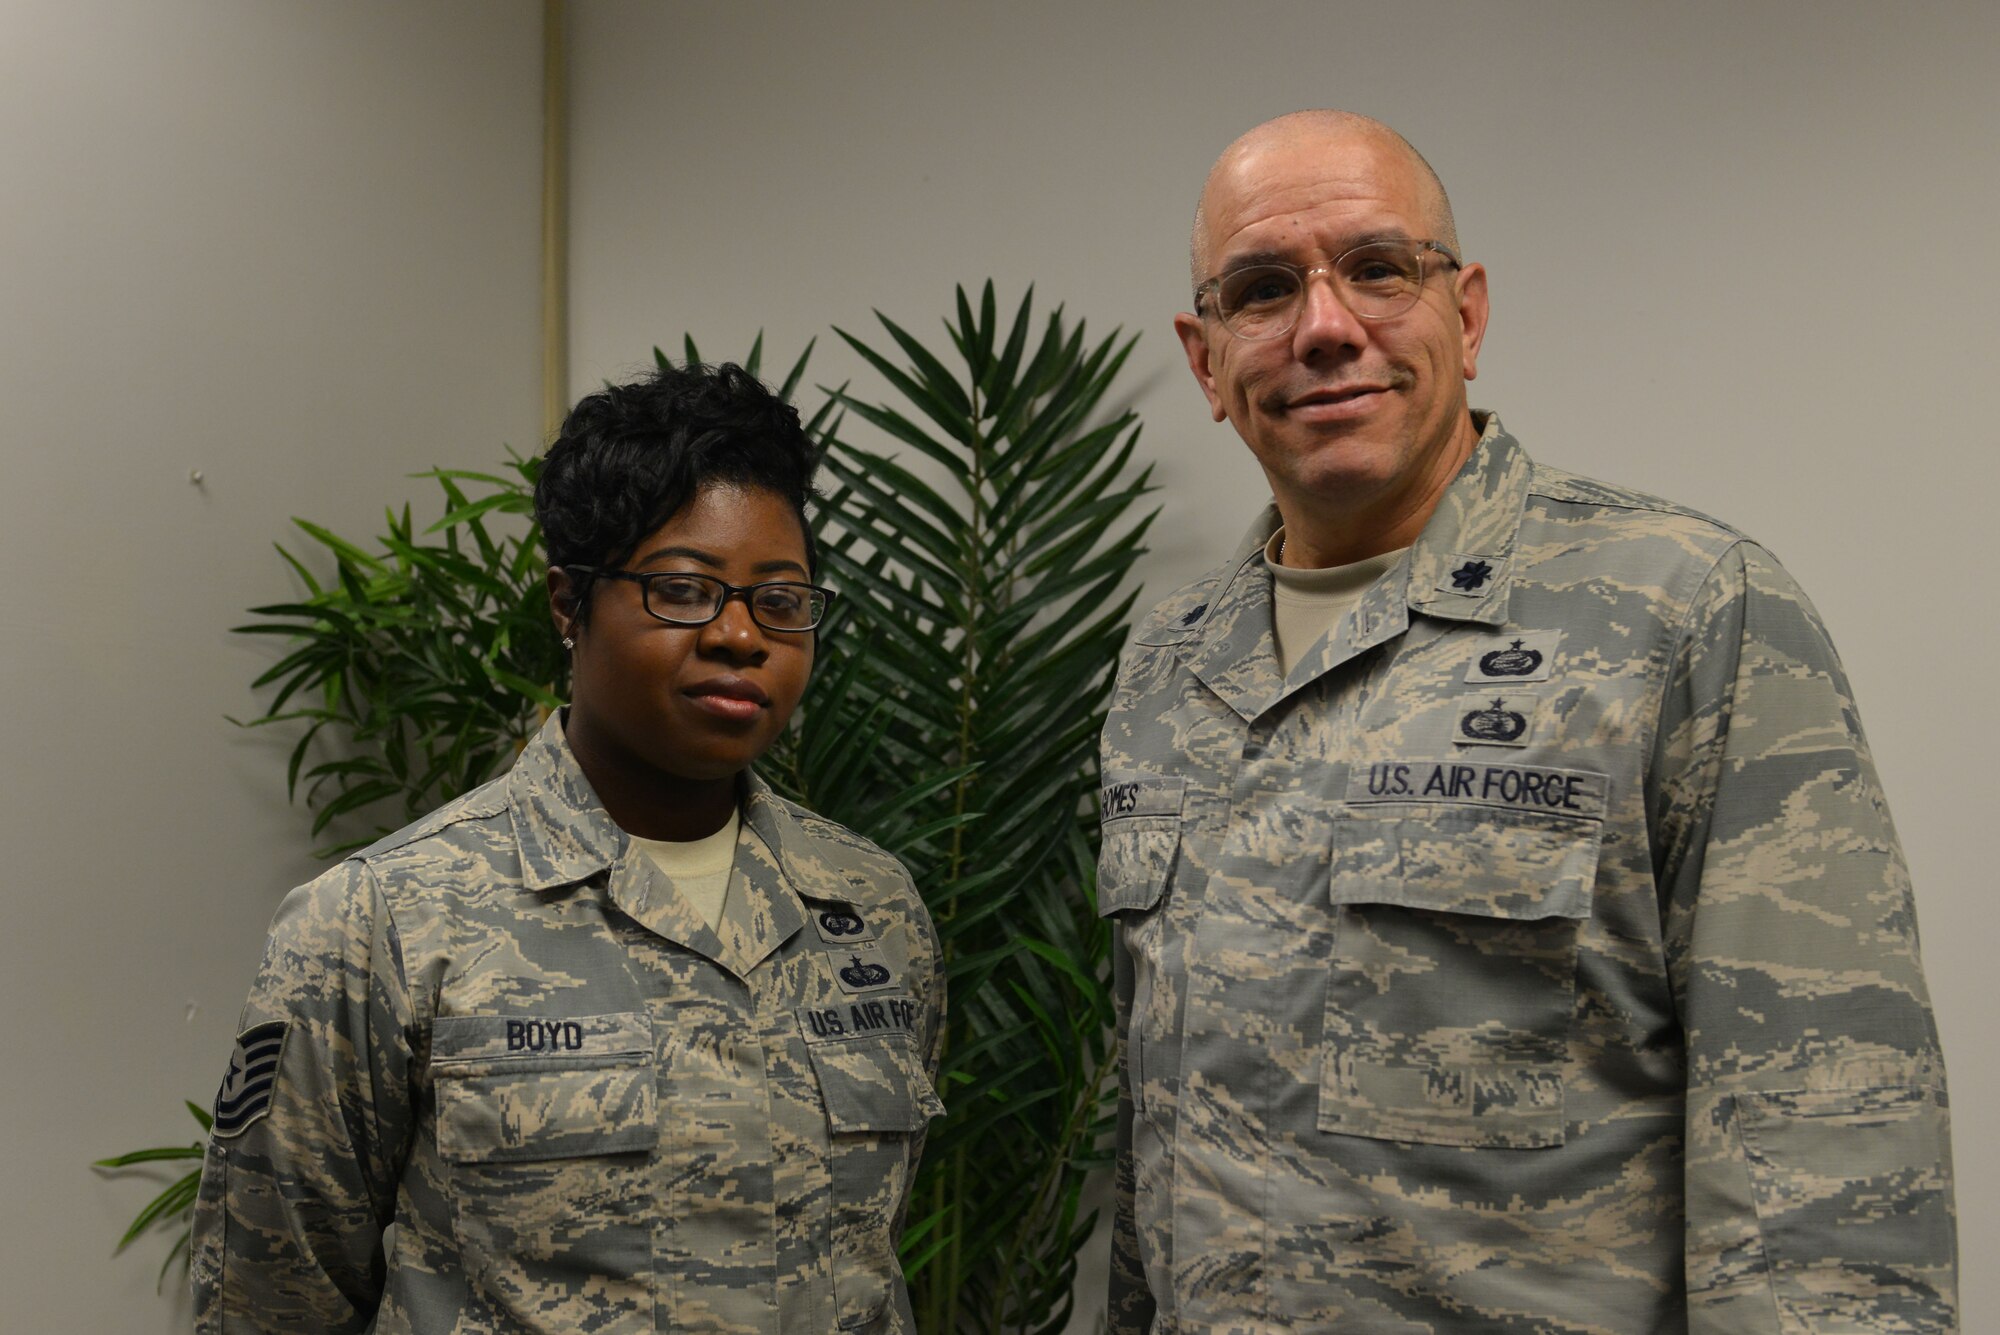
column 293, row 247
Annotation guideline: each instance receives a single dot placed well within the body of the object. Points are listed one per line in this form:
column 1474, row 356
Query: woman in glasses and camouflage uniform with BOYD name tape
column 623, row 1040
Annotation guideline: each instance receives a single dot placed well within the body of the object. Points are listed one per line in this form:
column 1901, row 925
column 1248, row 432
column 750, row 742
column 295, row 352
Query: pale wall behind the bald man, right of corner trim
column 1739, row 257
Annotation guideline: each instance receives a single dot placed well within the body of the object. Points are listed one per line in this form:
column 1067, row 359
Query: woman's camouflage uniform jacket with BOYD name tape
column 583, row 1108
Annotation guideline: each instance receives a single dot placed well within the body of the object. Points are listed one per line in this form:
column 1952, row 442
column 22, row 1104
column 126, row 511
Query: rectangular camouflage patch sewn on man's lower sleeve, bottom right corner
column 1853, row 1202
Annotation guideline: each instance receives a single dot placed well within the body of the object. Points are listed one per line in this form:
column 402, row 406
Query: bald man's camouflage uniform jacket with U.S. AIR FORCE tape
column 1537, row 956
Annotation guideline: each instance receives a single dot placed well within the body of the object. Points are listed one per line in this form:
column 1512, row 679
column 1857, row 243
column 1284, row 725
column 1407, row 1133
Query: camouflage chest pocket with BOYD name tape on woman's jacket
column 545, row 1128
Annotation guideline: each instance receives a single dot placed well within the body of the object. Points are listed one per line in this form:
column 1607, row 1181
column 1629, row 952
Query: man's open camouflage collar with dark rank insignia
column 1461, row 569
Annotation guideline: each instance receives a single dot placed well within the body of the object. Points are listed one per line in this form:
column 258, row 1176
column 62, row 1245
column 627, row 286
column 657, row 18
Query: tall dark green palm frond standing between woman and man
column 979, row 643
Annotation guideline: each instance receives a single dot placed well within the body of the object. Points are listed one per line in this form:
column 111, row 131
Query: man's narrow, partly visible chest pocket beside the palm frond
column 1141, row 842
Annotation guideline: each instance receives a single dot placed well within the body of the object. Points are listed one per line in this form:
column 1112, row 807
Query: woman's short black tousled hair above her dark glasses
column 631, row 457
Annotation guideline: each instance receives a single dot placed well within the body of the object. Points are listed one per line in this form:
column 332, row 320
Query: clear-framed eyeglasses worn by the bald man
column 1377, row 281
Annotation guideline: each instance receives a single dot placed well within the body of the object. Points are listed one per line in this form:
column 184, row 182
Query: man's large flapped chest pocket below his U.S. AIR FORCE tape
column 1455, row 966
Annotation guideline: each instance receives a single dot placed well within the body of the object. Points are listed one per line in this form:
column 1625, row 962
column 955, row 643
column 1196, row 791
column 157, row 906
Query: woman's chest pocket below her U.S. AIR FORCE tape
column 877, row 1100
